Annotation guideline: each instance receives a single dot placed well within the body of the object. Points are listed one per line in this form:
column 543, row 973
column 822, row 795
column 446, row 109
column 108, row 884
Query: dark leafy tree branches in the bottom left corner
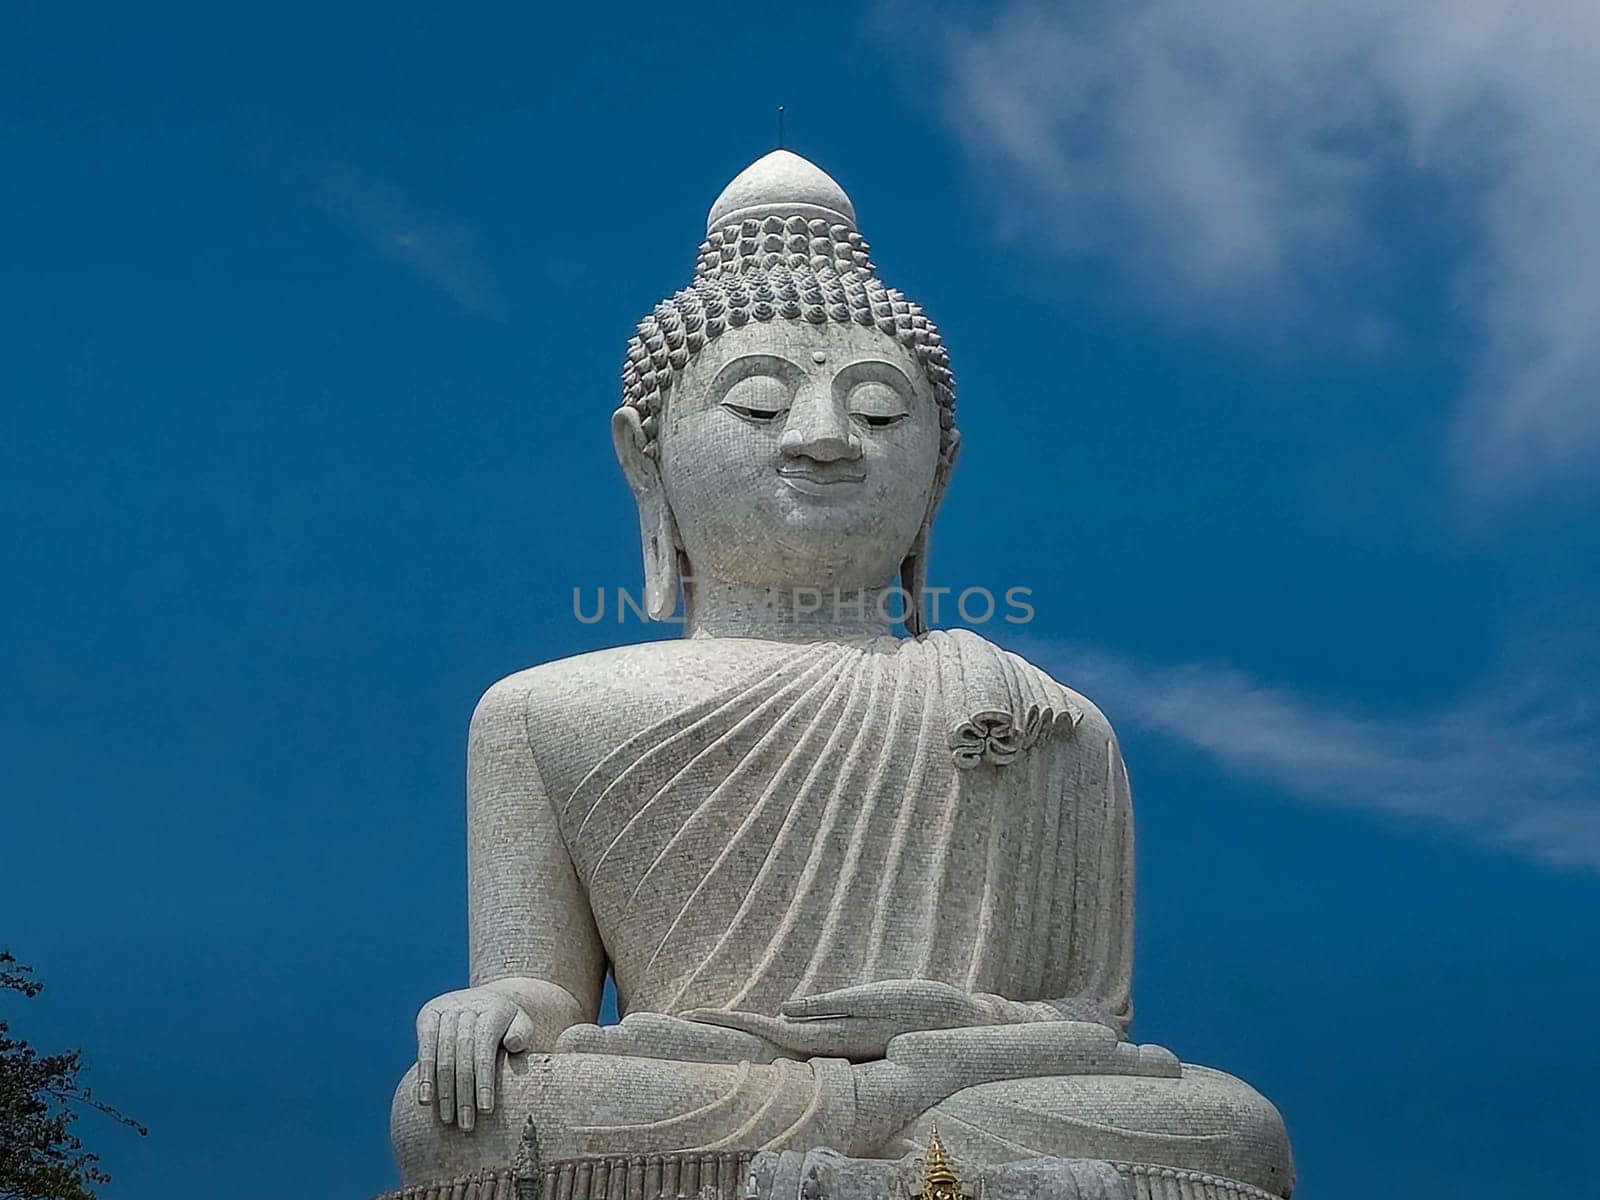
column 41, row 1098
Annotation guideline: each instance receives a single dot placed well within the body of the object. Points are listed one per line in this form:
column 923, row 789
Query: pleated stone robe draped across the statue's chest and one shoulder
column 894, row 809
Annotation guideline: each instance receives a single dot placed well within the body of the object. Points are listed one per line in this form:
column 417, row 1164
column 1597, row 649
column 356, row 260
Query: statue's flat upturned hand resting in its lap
column 860, row 1022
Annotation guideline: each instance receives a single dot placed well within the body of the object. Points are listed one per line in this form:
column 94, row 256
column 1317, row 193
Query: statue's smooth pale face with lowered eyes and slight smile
column 798, row 455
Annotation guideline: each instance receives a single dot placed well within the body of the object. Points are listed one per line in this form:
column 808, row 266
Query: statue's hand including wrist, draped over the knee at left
column 460, row 1038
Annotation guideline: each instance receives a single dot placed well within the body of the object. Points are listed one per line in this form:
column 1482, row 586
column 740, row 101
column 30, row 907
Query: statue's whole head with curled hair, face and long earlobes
column 788, row 422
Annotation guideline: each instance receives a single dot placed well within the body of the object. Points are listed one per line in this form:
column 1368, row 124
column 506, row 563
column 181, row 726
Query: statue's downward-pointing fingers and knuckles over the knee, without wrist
column 458, row 1041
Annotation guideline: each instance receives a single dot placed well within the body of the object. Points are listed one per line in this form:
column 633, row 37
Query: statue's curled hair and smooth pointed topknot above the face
column 782, row 244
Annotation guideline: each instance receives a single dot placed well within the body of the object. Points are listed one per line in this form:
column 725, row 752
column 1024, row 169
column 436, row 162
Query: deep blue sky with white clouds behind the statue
column 1274, row 346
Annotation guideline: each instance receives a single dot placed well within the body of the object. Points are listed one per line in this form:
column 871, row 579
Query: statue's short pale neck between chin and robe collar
column 716, row 609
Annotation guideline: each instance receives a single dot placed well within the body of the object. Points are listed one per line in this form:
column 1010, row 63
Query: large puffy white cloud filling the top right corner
column 1230, row 154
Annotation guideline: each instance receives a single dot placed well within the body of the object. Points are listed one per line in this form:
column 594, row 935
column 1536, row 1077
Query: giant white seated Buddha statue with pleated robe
column 849, row 884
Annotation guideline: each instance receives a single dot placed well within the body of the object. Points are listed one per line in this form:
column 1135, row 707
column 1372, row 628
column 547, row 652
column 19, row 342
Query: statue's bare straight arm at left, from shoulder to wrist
column 532, row 932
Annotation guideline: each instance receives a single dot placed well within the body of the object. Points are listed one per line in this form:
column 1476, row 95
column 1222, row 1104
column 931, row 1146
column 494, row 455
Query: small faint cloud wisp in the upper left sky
column 380, row 212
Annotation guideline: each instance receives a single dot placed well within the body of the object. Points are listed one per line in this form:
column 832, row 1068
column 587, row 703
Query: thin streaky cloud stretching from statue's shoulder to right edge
column 1514, row 767
